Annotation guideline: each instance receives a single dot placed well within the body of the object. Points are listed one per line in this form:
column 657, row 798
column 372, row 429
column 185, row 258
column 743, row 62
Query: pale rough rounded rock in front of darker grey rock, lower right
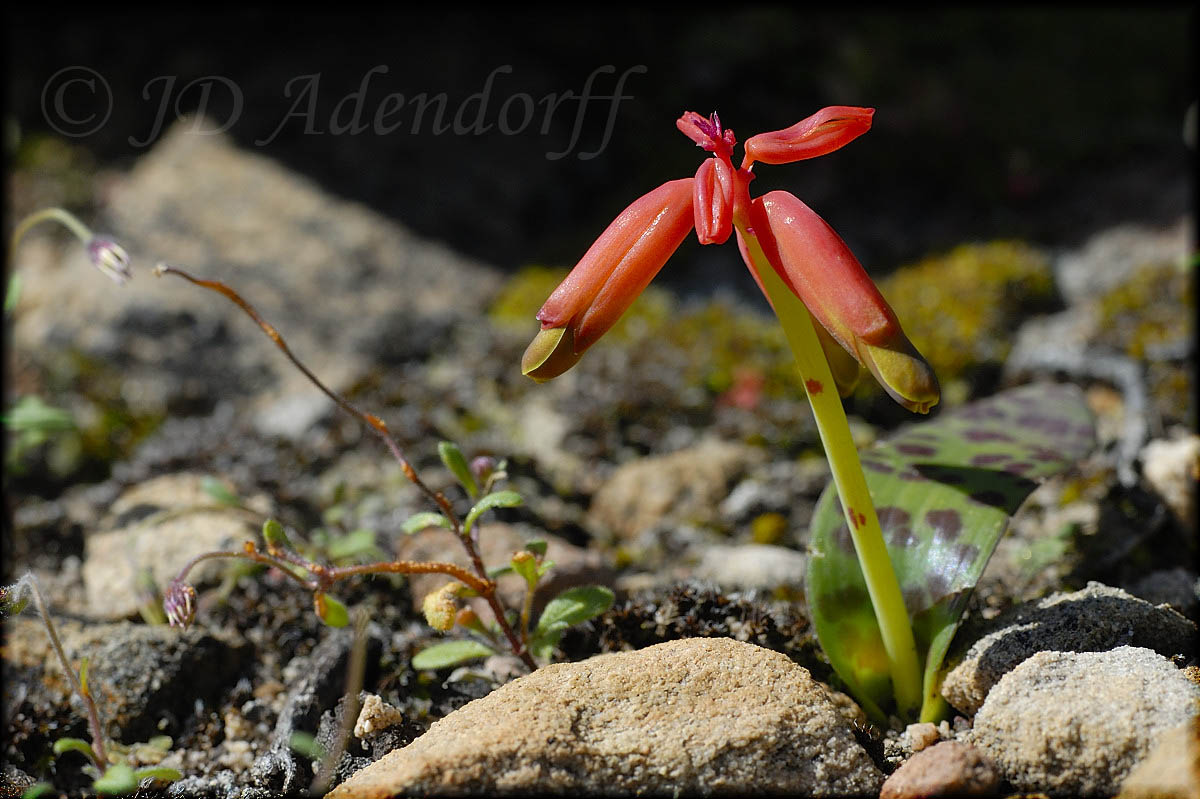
column 1078, row 724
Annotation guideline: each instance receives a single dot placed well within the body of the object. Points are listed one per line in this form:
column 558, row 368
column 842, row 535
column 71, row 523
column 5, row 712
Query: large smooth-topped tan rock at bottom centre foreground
column 694, row 717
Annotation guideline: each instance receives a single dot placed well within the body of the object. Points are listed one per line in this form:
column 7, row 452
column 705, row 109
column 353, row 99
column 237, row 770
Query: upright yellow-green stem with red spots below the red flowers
column 848, row 474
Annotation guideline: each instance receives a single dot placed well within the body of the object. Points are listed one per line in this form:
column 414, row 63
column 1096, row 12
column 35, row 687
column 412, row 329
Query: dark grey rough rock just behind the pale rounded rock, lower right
column 1095, row 620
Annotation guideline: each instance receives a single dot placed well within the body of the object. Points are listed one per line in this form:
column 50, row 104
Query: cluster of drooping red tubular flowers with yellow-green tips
column 811, row 259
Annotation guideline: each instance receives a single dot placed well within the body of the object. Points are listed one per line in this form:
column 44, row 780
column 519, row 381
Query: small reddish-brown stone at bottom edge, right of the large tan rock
column 947, row 770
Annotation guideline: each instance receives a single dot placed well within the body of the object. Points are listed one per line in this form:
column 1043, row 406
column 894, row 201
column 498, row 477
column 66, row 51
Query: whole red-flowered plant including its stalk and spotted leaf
column 807, row 274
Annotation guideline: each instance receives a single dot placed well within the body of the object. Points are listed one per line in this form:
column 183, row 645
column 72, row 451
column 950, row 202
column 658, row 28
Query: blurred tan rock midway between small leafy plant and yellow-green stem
column 687, row 486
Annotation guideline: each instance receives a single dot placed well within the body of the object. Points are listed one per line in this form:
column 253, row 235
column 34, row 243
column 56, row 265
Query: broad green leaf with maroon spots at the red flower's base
column 944, row 491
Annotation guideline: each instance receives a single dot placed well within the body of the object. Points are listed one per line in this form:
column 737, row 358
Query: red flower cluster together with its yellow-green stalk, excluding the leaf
column 808, row 274
